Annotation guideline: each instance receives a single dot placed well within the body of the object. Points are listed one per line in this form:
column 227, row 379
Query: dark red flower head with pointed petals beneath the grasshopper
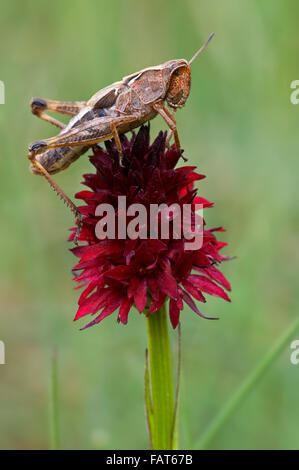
column 119, row 273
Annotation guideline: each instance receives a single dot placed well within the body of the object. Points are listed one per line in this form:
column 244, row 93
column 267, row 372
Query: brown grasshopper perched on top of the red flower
column 112, row 111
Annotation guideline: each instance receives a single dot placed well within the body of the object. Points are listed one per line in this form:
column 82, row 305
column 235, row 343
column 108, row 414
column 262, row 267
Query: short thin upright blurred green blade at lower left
column 55, row 444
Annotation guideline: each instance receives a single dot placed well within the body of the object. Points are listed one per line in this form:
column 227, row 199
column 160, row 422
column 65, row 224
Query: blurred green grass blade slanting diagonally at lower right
column 246, row 388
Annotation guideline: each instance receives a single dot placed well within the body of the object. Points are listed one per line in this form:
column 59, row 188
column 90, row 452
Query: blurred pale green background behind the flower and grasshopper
column 241, row 130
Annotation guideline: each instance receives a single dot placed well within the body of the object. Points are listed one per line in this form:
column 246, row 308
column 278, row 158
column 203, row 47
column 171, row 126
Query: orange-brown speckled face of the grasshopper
column 179, row 84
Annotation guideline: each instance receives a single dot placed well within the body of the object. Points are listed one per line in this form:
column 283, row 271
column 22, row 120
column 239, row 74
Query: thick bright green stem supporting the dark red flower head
column 162, row 415
